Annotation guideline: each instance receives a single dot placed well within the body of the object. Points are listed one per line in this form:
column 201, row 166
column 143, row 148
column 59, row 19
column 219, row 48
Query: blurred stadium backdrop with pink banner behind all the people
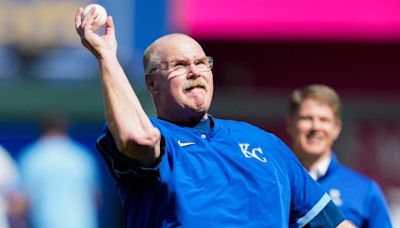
column 262, row 50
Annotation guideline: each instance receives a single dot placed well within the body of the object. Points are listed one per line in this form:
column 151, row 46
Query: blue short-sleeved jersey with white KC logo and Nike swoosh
column 235, row 175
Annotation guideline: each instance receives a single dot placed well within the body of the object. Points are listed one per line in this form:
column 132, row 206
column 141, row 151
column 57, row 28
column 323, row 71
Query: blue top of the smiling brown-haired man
column 358, row 197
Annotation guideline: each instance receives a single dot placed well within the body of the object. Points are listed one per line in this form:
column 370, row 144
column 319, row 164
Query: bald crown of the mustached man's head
column 158, row 51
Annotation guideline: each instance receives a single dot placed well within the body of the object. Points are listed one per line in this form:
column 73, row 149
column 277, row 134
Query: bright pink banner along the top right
column 288, row 19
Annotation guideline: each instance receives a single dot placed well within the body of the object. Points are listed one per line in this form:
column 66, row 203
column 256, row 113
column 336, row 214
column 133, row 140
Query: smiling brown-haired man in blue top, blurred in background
column 314, row 123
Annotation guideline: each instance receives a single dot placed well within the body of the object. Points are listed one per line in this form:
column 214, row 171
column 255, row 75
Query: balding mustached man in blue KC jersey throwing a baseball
column 186, row 167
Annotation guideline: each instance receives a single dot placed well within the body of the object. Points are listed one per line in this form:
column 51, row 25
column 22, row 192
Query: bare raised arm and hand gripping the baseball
column 131, row 128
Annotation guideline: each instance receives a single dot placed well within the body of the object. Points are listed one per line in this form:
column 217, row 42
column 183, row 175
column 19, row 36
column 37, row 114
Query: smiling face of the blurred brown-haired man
column 313, row 129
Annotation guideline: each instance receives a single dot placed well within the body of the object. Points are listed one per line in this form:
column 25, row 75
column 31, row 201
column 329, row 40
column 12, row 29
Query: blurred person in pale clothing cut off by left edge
column 8, row 180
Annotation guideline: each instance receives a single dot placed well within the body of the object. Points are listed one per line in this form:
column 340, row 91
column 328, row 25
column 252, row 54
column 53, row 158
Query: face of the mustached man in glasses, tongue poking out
column 182, row 86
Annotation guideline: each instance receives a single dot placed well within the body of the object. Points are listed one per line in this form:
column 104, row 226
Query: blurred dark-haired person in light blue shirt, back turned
column 60, row 179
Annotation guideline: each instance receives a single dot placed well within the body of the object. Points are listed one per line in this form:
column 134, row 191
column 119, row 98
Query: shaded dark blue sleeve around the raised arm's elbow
column 121, row 166
